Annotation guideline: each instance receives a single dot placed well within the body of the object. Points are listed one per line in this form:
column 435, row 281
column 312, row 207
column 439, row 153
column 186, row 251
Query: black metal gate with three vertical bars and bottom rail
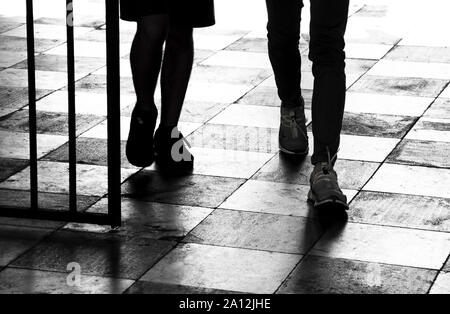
column 113, row 217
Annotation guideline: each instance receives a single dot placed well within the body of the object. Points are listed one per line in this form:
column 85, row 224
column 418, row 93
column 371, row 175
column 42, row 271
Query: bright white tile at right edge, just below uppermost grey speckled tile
column 411, row 69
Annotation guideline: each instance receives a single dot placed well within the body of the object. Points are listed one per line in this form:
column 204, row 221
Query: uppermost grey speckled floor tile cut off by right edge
column 419, row 54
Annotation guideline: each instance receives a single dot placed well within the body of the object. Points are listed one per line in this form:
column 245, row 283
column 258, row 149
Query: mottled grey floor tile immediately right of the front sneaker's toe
column 400, row 210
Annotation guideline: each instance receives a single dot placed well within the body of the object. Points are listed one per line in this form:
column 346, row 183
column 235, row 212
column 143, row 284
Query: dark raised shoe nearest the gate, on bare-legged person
column 139, row 150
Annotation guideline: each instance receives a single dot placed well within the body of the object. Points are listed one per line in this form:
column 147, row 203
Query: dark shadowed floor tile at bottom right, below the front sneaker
column 316, row 275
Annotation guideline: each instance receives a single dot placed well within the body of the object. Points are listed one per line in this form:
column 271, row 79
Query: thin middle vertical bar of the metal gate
column 72, row 113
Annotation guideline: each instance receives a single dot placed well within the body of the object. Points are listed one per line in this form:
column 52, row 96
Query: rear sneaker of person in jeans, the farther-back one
column 293, row 138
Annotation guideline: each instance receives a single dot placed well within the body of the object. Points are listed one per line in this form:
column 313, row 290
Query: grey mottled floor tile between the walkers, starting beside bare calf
column 229, row 75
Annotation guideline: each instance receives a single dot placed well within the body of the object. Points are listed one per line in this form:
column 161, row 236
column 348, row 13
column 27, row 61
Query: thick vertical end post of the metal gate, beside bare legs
column 113, row 95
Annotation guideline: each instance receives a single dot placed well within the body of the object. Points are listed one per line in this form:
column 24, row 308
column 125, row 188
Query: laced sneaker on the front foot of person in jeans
column 325, row 191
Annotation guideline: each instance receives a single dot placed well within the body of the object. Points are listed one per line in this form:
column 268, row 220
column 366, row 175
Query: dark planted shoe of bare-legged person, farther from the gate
column 171, row 150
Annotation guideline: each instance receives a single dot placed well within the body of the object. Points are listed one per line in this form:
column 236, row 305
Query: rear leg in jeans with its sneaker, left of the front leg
column 284, row 36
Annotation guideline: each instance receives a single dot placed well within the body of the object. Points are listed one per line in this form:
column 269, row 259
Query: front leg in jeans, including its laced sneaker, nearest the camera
column 327, row 29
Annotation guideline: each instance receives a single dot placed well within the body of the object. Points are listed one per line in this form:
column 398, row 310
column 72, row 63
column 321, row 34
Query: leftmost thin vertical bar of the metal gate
column 32, row 107
